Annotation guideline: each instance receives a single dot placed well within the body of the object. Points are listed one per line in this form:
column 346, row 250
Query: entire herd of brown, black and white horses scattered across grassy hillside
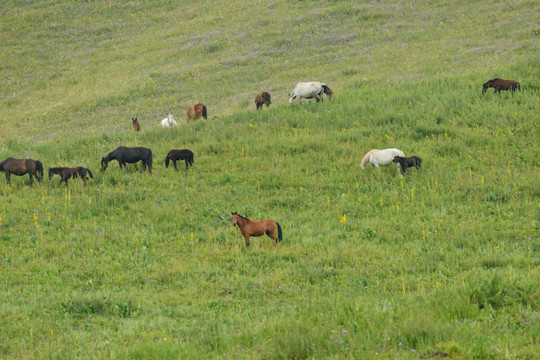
column 125, row 155
